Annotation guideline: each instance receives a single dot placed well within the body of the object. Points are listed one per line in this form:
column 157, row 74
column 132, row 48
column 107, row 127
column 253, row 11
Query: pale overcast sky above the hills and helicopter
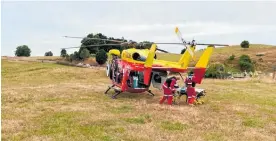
column 41, row 25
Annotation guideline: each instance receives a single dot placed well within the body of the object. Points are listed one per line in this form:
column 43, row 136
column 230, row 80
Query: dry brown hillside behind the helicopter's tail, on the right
column 263, row 63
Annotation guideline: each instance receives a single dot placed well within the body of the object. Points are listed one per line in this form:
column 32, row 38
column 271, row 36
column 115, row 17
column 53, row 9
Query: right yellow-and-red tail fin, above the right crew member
column 201, row 65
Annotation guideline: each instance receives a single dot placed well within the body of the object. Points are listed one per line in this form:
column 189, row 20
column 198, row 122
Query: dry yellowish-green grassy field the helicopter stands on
column 43, row 101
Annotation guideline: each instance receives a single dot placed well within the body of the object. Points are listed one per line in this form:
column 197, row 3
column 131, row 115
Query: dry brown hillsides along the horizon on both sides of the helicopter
column 263, row 63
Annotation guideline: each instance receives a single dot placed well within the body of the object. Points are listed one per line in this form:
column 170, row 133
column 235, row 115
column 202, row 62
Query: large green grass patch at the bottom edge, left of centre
column 67, row 124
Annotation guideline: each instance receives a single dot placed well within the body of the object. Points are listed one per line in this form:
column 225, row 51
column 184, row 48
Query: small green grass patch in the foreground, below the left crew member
column 172, row 126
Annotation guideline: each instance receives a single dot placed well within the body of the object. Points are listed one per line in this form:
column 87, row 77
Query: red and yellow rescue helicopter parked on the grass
column 133, row 70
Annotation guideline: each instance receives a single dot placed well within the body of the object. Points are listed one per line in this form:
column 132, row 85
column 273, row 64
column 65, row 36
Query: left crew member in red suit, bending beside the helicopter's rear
column 168, row 88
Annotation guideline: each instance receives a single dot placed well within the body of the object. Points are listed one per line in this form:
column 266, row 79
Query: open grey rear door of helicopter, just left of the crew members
column 158, row 78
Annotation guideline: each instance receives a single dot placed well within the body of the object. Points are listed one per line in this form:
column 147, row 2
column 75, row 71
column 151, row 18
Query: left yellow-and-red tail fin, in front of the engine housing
column 148, row 64
